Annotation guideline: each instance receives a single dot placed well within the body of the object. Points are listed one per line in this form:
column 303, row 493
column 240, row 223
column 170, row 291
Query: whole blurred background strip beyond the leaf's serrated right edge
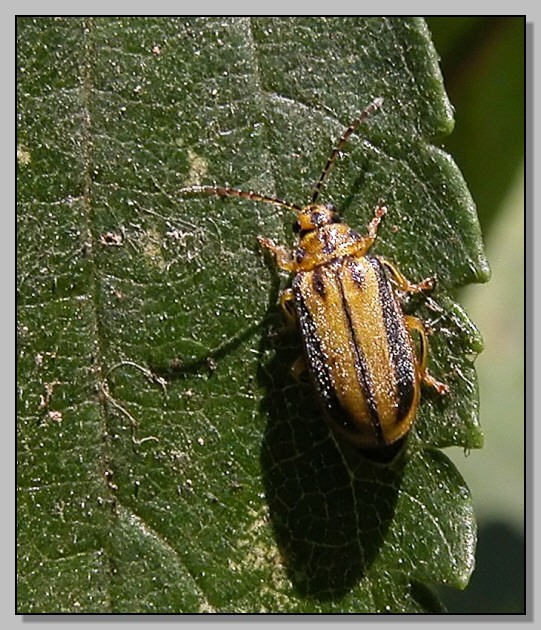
column 483, row 64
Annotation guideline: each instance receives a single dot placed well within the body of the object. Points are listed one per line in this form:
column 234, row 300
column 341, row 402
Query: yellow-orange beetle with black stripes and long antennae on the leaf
column 358, row 344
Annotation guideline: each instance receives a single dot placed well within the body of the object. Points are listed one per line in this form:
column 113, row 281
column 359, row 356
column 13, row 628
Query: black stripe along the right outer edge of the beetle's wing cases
column 397, row 342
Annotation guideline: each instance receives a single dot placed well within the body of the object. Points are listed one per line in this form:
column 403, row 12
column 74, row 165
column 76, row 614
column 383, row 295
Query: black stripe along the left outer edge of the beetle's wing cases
column 318, row 364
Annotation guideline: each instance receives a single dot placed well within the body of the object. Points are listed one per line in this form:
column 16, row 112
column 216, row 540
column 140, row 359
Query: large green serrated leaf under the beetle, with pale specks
column 167, row 459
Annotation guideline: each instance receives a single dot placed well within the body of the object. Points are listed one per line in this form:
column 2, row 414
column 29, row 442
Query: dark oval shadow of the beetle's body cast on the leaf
column 330, row 506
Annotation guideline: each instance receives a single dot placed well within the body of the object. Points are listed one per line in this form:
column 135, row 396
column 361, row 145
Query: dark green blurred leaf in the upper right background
column 483, row 65
